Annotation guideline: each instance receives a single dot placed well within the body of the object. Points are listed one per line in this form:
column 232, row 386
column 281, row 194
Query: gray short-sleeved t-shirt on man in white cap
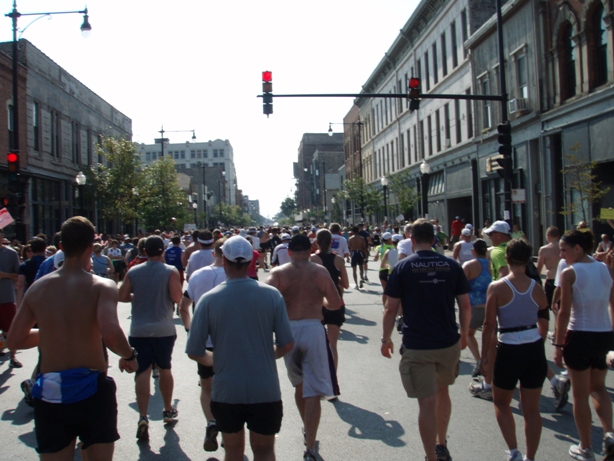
column 242, row 316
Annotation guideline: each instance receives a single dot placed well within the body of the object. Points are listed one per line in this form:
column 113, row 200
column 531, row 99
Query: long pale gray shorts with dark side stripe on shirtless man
column 311, row 362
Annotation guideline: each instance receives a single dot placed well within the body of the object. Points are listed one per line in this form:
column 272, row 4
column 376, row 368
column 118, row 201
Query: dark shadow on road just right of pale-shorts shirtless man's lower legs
column 365, row 424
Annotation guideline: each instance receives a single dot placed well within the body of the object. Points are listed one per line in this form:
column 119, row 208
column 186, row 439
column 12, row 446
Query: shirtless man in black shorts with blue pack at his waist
column 71, row 350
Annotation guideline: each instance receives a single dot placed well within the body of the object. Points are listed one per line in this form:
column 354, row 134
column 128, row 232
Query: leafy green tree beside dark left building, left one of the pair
column 111, row 185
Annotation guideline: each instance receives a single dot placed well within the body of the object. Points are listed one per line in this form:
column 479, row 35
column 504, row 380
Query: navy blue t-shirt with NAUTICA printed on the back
column 427, row 284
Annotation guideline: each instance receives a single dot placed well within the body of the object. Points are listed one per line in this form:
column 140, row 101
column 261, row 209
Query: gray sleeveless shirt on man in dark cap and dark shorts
column 152, row 307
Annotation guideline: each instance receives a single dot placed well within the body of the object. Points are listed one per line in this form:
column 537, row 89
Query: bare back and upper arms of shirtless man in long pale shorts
column 304, row 285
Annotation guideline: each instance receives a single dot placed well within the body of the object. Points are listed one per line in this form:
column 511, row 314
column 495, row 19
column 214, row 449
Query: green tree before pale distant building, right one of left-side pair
column 160, row 197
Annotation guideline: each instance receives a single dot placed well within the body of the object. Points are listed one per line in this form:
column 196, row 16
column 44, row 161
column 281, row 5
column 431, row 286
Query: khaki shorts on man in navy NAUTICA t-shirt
column 423, row 371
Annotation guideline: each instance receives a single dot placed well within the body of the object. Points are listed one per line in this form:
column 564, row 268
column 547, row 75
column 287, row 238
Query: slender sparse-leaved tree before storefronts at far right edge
column 584, row 189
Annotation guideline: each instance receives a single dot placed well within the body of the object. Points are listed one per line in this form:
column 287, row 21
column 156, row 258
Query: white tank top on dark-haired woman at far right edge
column 591, row 298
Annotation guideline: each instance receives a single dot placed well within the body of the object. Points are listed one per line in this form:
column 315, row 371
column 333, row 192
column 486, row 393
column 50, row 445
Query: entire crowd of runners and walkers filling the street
column 237, row 326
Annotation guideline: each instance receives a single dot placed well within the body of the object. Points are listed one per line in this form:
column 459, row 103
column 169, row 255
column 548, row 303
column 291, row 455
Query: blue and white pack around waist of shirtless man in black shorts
column 68, row 386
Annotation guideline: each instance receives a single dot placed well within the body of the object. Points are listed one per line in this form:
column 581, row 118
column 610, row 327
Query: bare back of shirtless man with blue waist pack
column 68, row 306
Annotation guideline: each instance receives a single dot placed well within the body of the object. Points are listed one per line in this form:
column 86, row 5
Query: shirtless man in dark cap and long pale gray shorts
column 310, row 363
